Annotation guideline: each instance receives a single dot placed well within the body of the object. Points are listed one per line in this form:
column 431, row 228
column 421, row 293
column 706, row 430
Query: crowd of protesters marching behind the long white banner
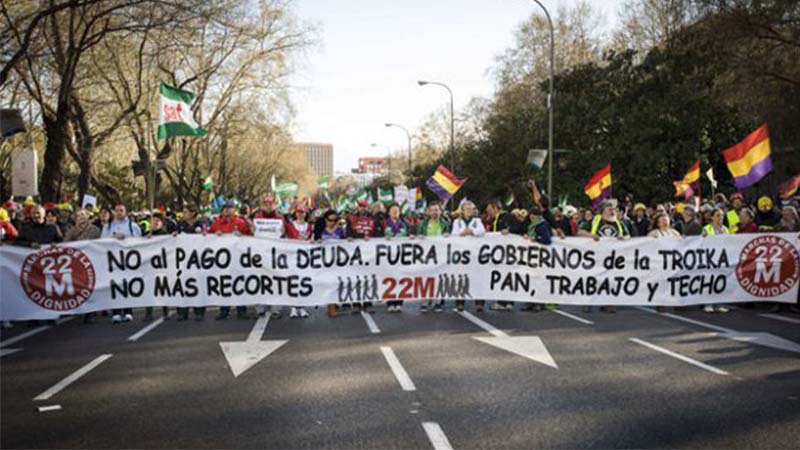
column 34, row 225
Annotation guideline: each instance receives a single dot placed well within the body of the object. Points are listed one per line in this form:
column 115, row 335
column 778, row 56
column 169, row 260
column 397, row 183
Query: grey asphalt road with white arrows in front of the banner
column 634, row 379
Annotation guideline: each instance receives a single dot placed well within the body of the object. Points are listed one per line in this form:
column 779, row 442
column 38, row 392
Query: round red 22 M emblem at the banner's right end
column 768, row 266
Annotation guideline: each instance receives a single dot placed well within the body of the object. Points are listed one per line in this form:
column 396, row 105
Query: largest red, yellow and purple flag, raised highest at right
column 749, row 161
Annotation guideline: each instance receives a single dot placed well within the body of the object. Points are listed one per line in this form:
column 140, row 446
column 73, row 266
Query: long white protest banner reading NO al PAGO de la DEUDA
column 87, row 276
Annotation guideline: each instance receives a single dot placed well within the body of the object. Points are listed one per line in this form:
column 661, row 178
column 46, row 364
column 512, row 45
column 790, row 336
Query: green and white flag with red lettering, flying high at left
column 175, row 114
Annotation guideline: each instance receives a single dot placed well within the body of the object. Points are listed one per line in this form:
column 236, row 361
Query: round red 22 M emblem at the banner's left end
column 58, row 278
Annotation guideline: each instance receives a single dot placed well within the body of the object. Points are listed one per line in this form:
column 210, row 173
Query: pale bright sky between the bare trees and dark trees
column 372, row 53
